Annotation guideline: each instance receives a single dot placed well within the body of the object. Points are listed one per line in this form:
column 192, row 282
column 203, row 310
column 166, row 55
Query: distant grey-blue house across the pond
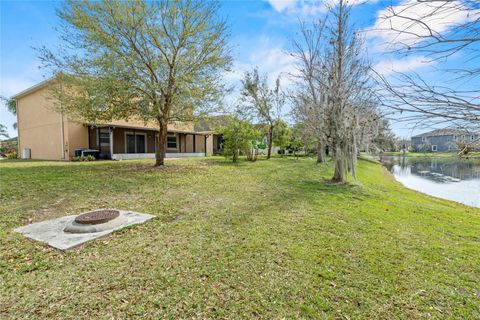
column 442, row 140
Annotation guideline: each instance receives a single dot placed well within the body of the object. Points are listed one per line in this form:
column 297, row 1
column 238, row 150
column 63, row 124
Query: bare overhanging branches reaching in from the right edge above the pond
column 421, row 27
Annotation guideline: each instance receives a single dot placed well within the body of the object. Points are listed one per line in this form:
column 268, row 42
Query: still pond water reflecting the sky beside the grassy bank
column 448, row 178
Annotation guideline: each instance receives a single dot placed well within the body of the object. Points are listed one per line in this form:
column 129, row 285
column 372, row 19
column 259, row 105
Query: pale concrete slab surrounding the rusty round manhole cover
column 52, row 231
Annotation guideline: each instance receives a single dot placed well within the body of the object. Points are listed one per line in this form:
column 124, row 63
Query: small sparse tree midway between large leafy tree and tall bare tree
column 266, row 103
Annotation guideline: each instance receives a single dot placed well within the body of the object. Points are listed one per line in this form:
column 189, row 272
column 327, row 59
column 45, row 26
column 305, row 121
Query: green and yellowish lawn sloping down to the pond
column 271, row 239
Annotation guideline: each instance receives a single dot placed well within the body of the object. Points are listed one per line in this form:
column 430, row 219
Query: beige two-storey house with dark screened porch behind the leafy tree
column 44, row 133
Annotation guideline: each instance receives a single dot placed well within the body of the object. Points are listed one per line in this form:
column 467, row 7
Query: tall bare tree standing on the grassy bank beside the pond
column 335, row 98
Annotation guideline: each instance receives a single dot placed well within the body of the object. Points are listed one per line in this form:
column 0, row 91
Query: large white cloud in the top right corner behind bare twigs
column 404, row 25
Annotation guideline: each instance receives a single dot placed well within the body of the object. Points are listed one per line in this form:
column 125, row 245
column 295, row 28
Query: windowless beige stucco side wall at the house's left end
column 39, row 127
